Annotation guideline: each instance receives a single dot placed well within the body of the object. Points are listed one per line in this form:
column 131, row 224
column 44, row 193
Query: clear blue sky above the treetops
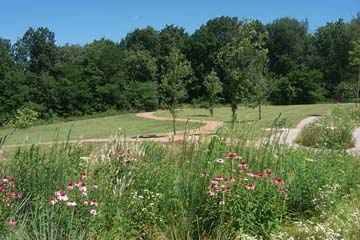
column 82, row 21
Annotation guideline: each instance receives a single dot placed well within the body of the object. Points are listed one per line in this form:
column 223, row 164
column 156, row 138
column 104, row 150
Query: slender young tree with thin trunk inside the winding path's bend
column 176, row 73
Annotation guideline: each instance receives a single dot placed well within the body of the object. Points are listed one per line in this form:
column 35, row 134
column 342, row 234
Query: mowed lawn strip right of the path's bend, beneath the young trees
column 294, row 114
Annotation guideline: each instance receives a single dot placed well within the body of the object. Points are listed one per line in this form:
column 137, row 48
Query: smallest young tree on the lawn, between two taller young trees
column 213, row 87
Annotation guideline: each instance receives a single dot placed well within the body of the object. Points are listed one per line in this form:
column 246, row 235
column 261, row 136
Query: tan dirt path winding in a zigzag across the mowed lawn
column 208, row 127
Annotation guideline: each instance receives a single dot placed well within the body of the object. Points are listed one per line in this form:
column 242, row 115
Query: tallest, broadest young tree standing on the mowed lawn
column 236, row 60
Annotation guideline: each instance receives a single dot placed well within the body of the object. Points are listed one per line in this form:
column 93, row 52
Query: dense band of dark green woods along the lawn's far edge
column 228, row 60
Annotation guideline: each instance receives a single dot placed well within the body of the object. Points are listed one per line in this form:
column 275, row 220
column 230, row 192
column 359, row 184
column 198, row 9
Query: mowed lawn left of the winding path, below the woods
column 103, row 127
